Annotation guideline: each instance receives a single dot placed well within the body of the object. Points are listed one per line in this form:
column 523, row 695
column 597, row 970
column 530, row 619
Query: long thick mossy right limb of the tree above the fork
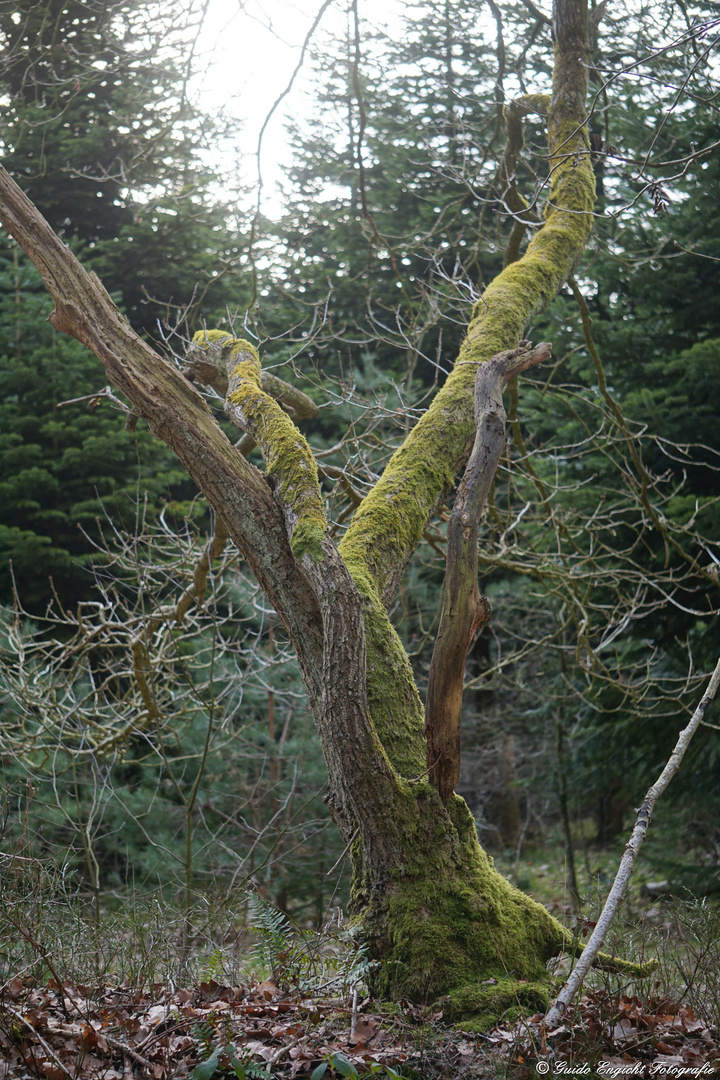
column 390, row 522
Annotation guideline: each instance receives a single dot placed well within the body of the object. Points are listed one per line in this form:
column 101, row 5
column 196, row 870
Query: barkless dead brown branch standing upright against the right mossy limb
column 465, row 612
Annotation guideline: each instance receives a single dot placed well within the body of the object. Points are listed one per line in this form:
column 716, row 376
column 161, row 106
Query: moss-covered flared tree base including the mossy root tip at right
column 450, row 929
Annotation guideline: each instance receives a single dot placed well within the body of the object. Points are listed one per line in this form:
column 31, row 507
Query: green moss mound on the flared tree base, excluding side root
column 451, row 922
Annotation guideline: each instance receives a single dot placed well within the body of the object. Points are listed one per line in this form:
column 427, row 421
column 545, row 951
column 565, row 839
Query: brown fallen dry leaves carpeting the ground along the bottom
column 104, row 1033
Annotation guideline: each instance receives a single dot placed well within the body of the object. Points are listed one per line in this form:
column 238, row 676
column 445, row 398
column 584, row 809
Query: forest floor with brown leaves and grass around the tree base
column 65, row 1015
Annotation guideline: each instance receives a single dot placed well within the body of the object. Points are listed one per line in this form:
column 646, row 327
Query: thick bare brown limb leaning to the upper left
column 160, row 395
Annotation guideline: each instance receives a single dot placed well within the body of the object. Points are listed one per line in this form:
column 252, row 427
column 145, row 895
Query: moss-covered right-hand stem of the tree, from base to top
column 443, row 920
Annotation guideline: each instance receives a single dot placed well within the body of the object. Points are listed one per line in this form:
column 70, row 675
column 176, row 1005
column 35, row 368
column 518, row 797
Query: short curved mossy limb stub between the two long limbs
column 289, row 460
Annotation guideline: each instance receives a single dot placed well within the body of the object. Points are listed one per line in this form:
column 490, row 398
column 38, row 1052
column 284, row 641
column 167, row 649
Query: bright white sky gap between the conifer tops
column 248, row 55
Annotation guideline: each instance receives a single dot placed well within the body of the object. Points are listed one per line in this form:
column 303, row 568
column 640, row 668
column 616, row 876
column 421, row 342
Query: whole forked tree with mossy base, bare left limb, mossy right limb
column 440, row 917
